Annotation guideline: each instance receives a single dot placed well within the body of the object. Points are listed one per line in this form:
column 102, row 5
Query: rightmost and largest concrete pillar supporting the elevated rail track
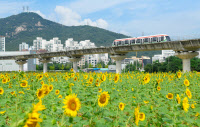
column 186, row 56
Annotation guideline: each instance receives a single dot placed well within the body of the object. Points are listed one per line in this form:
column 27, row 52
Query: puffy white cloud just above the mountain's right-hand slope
column 70, row 18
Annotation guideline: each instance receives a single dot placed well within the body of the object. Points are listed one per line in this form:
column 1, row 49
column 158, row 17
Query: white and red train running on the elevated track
column 141, row 40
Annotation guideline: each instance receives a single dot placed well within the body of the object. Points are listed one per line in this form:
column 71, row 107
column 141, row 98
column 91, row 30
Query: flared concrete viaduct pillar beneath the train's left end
column 118, row 58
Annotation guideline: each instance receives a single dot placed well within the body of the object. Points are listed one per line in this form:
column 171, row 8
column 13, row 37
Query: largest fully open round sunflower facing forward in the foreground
column 71, row 104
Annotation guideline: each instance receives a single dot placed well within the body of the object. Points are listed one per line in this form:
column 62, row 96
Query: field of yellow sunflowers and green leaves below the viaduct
column 99, row 99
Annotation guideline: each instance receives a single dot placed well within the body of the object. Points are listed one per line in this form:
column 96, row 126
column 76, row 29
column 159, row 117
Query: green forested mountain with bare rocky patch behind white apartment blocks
column 26, row 26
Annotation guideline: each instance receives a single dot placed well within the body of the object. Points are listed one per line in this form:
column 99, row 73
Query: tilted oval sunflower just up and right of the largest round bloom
column 103, row 99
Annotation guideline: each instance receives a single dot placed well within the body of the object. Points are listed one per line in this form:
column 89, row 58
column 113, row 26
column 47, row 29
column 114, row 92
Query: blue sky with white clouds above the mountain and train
column 177, row 18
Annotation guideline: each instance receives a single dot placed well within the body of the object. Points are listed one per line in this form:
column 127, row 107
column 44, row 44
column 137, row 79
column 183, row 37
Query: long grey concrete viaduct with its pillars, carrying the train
column 184, row 49
